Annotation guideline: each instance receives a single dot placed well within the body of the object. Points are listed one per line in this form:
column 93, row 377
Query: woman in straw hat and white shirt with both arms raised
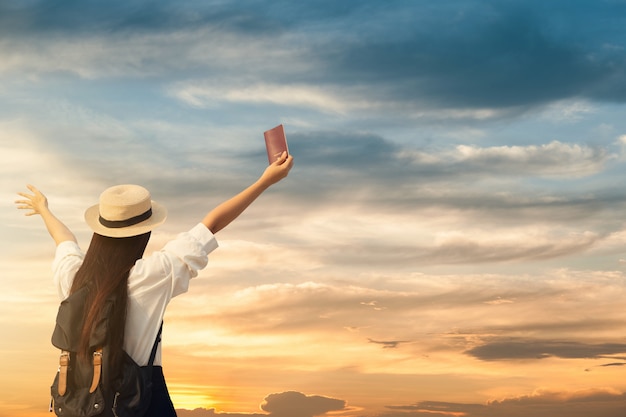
column 113, row 264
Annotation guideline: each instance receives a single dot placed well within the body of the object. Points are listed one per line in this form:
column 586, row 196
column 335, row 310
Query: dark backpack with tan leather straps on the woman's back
column 84, row 388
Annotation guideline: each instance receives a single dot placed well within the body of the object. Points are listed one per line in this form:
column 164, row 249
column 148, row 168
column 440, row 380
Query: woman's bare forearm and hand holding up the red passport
column 223, row 214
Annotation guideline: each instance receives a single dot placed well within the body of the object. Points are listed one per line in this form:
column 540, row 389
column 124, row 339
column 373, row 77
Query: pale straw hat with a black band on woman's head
column 124, row 211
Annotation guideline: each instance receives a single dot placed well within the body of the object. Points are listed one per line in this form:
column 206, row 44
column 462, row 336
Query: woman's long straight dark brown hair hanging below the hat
column 105, row 270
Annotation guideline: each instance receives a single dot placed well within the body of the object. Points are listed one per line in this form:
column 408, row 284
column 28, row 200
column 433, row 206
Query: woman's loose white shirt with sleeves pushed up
column 152, row 283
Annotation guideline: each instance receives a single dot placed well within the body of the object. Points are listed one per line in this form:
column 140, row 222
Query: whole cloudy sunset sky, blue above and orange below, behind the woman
column 449, row 243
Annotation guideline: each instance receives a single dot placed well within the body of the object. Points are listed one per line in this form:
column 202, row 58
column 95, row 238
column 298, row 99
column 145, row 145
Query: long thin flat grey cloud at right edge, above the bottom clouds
column 516, row 349
